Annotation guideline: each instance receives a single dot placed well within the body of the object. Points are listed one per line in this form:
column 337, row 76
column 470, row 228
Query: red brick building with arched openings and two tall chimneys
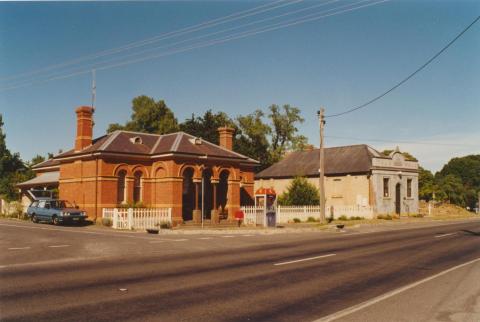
column 152, row 170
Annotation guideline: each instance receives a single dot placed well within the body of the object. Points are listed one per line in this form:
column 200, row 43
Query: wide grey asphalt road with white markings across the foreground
column 52, row 273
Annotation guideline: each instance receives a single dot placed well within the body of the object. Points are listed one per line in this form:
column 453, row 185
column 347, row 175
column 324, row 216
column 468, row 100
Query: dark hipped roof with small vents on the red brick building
column 155, row 144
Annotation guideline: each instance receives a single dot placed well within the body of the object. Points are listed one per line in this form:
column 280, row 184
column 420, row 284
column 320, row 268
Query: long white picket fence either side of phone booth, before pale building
column 284, row 214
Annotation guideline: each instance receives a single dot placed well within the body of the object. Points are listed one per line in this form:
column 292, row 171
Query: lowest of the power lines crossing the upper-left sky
column 311, row 17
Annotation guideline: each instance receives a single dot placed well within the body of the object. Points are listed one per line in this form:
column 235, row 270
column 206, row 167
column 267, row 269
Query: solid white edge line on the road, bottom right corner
column 361, row 306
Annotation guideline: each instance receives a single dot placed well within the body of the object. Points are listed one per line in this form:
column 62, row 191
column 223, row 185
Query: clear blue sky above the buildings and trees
column 337, row 62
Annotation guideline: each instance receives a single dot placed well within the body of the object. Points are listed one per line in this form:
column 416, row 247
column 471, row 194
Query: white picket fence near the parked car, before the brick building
column 137, row 218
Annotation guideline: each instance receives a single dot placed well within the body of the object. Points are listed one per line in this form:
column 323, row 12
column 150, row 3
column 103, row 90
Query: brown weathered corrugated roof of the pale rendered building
column 338, row 160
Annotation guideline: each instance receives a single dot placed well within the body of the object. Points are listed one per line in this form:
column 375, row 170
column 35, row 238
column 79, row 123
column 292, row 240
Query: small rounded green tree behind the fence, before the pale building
column 300, row 192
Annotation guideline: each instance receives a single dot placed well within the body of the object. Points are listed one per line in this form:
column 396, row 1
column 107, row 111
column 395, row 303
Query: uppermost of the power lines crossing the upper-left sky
column 168, row 35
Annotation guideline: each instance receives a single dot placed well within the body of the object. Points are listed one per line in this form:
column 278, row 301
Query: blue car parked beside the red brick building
column 54, row 211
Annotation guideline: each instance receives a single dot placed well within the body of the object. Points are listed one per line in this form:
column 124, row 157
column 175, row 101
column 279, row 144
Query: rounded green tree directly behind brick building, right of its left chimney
column 148, row 116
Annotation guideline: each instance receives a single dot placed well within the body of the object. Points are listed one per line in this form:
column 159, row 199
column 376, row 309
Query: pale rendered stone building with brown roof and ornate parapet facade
column 354, row 175
